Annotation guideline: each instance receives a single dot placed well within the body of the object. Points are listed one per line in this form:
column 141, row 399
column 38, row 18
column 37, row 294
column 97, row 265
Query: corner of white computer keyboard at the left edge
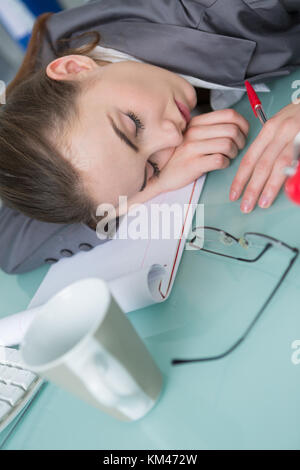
column 17, row 385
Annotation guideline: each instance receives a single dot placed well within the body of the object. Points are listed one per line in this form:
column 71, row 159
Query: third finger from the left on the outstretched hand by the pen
column 277, row 178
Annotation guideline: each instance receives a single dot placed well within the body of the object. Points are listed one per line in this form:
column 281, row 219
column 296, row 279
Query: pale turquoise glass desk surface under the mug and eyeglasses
column 248, row 400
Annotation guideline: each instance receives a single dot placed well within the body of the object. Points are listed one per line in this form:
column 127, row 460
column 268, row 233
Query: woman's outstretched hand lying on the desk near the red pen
column 262, row 167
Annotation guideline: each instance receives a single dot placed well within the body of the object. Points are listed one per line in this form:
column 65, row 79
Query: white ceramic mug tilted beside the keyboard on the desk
column 82, row 341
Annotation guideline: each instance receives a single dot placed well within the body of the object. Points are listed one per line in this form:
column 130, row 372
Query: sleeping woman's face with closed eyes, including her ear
column 128, row 122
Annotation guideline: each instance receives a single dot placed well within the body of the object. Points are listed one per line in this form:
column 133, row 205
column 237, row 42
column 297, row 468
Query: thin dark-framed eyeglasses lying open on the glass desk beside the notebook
column 249, row 248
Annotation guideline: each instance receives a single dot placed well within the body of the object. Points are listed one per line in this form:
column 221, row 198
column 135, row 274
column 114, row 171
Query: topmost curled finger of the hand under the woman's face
column 222, row 116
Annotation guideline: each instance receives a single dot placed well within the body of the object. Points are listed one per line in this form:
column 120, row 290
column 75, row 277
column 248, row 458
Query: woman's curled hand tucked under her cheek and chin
column 209, row 143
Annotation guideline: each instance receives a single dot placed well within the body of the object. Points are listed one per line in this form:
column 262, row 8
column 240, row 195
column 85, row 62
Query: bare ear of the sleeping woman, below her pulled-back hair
column 70, row 67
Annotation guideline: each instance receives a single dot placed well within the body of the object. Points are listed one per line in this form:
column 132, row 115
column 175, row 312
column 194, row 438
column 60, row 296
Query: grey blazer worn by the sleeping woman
column 221, row 41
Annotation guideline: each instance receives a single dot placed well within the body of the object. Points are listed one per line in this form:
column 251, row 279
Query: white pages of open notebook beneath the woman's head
column 129, row 265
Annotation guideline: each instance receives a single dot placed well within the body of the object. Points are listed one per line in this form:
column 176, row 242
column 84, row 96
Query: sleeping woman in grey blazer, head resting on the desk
column 101, row 107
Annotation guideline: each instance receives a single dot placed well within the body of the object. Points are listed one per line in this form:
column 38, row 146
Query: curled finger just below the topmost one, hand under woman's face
column 211, row 146
